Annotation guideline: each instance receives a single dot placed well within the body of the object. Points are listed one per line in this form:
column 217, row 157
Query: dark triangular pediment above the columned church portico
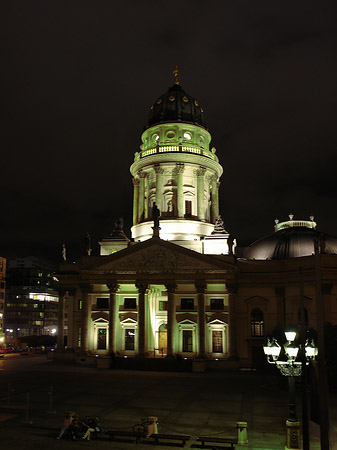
column 156, row 255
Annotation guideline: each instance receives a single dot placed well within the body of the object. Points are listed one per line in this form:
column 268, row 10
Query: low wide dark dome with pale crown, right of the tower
column 292, row 239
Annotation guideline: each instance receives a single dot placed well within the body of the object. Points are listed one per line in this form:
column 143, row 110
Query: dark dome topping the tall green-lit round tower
column 176, row 105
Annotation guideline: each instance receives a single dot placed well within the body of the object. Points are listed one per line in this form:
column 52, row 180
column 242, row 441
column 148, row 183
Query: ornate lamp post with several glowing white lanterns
column 290, row 368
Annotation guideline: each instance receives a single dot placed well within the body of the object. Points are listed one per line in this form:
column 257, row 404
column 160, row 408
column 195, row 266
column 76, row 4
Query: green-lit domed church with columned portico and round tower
column 178, row 288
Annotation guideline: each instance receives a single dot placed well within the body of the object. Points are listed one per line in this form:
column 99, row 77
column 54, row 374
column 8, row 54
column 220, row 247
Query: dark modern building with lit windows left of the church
column 31, row 299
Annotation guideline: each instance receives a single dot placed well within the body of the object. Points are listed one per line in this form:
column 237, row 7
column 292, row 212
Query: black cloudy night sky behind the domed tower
column 78, row 78
